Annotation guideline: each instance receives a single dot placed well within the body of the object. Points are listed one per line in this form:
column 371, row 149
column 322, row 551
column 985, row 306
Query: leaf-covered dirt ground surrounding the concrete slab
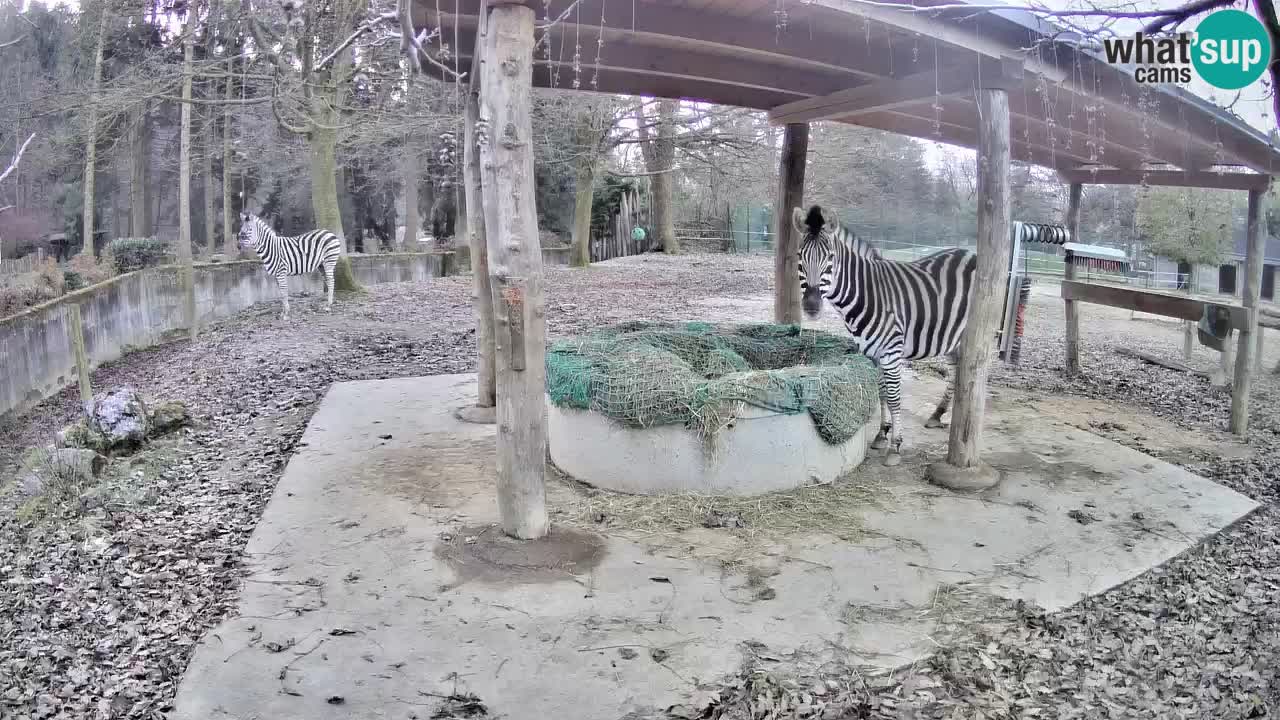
column 102, row 600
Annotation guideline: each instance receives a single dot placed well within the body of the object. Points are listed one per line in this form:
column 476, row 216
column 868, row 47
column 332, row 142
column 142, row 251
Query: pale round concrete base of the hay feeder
column 762, row 452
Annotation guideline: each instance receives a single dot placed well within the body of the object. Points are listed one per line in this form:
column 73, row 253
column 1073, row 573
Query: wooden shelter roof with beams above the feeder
column 884, row 67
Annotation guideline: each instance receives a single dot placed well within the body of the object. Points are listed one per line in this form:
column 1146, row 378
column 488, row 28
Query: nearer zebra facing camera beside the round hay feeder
column 897, row 311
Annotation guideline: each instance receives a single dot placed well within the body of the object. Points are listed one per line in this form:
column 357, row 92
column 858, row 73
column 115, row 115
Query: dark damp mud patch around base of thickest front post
column 487, row 555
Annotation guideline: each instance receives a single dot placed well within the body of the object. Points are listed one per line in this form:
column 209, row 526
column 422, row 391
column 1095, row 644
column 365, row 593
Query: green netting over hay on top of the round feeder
column 703, row 376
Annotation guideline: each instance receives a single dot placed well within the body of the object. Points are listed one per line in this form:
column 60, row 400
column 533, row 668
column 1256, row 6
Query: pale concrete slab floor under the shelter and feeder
column 372, row 586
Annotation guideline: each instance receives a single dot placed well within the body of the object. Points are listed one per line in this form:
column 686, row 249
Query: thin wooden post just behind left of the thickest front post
column 487, row 388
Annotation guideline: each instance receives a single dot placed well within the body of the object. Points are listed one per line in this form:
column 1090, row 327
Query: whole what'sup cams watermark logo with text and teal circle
column 1229, row 51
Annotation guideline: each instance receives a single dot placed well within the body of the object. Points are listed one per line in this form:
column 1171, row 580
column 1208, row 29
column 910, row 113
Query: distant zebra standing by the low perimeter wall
column 298, row 256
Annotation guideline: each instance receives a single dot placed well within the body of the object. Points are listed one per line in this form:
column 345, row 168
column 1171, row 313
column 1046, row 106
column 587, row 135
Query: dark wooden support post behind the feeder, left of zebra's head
column 787, row 274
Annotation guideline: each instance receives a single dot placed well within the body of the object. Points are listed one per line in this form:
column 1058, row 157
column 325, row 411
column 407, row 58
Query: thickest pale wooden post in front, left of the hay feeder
column 515, row 268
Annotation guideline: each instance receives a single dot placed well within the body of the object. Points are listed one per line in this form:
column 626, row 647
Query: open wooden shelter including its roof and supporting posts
column 1003, row 83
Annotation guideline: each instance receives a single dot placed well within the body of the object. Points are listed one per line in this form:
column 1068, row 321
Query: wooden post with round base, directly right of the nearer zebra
column 964, row 446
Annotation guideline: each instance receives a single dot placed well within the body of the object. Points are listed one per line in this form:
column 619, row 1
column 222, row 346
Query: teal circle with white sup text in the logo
column 1232, row 49
